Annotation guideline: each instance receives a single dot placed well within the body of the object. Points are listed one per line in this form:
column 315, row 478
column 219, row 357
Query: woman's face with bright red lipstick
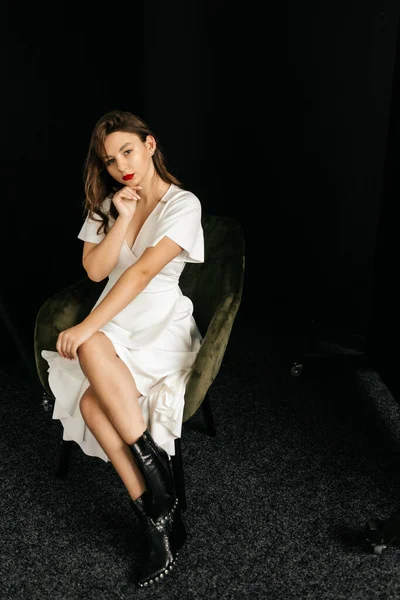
column 127, row 158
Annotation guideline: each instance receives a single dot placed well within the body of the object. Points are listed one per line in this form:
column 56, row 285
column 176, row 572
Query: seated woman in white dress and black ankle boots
column 119, row 376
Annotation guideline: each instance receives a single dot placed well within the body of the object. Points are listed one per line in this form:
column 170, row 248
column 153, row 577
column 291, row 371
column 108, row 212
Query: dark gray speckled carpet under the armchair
column 276, row 502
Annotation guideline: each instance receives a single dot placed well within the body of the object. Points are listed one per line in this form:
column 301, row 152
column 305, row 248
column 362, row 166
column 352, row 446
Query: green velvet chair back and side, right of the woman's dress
column 215, row 288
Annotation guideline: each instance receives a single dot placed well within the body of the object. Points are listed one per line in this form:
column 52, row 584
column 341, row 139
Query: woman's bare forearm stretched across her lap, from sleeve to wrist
column 132, row 282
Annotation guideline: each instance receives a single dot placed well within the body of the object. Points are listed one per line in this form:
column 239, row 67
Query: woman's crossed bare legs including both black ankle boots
column 111, row 410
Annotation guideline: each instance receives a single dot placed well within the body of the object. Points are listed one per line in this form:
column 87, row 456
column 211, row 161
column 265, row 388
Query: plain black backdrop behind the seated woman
column 277, row 116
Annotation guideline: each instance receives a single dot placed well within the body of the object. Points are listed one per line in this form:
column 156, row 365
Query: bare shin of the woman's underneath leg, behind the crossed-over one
column 112, row 443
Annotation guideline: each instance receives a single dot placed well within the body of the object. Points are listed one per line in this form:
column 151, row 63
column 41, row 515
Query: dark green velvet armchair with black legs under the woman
column 215, row 288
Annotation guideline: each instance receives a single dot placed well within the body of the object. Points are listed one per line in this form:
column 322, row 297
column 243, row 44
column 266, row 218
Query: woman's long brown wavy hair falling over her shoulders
column 98, row 182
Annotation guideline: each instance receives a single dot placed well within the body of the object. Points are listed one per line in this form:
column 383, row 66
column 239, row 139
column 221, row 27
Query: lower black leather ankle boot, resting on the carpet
column 161, row 541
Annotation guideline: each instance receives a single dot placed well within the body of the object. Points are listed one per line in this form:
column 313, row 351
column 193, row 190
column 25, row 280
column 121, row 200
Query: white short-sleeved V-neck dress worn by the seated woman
column 155, row 335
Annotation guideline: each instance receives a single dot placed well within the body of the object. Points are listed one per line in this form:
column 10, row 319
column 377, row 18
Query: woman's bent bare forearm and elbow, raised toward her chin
column 99, row 261
